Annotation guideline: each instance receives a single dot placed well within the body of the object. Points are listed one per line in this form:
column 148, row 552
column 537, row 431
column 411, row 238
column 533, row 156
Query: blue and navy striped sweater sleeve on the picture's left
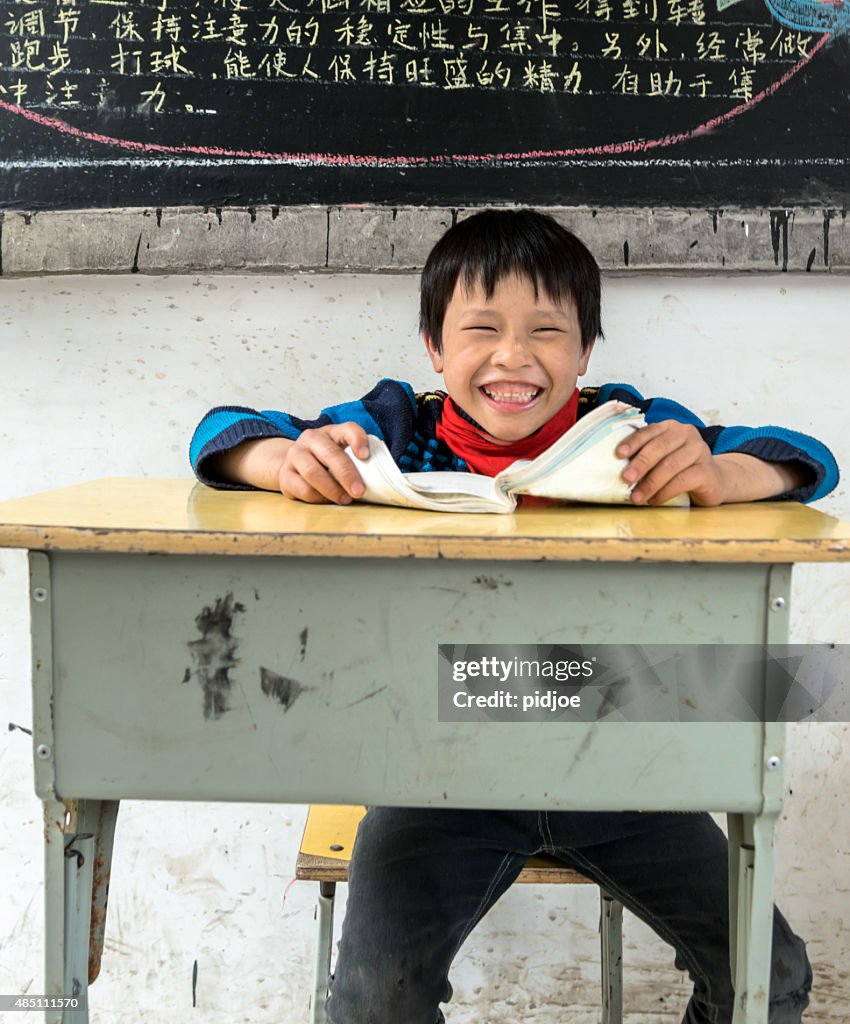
column 389, row 412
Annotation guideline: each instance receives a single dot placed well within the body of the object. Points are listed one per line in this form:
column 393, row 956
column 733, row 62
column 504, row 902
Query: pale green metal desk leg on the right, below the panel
column 751, row 913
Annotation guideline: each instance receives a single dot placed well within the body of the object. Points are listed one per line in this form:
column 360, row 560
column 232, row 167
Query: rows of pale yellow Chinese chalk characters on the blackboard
column 123, row 56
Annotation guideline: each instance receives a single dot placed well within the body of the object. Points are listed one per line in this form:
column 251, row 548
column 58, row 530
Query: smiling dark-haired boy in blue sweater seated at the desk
column 511, row 311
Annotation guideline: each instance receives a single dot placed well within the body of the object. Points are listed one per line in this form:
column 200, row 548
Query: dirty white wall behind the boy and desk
column 108, row 376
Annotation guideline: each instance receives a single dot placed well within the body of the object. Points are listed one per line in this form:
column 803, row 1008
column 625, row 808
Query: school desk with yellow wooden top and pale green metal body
column 192, row 645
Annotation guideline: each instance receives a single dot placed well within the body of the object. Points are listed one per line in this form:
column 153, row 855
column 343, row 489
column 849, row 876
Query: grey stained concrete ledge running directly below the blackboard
column 398, row 239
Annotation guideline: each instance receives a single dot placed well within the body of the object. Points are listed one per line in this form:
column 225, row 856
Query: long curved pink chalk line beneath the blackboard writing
column 353, row 160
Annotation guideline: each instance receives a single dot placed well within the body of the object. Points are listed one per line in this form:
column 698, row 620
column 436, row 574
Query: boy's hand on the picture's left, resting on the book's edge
column 317, row 470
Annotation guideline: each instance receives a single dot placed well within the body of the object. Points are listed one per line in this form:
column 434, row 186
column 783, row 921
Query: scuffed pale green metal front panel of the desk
column 315, row 680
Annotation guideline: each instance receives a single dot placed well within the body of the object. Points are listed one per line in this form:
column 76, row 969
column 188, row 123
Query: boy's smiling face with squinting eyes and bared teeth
column 511, row 361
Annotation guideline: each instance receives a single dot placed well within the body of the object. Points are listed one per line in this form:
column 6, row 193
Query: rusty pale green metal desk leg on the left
column 78, row 858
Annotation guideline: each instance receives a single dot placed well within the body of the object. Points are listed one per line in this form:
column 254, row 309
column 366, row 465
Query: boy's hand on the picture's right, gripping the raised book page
column 668, row 459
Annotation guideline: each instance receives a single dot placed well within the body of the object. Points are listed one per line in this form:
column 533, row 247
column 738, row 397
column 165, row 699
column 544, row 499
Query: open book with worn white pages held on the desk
column 581, row 466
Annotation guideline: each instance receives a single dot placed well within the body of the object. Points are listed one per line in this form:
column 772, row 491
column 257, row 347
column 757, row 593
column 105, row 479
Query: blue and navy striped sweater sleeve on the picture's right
column 770, row 444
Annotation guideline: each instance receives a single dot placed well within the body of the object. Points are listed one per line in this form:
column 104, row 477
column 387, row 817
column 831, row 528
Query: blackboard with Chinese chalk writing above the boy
column 700, row 104
